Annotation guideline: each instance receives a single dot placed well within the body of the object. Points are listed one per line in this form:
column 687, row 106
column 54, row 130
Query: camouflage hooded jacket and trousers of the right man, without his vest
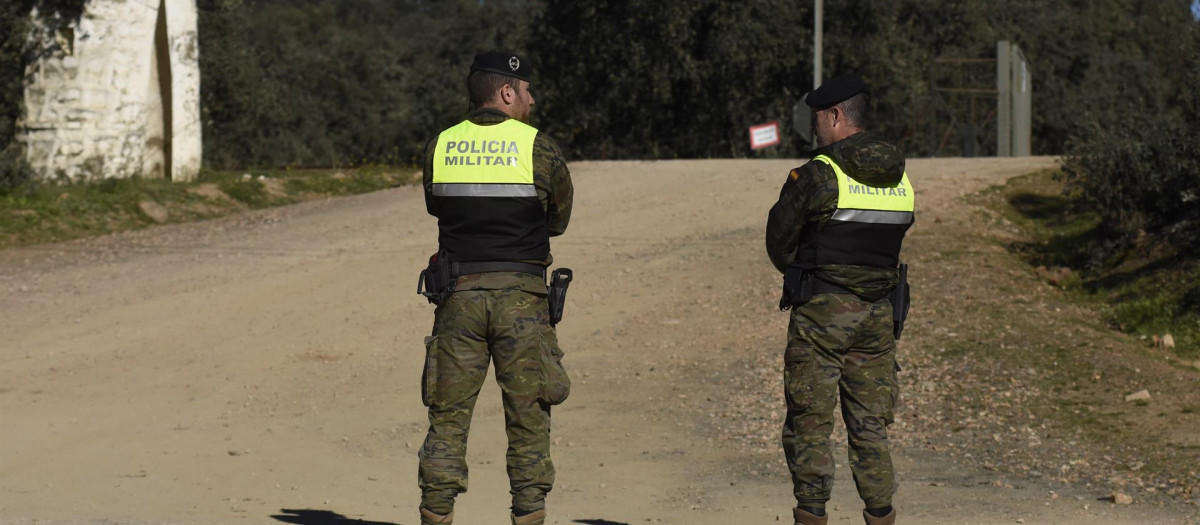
column 838, row 343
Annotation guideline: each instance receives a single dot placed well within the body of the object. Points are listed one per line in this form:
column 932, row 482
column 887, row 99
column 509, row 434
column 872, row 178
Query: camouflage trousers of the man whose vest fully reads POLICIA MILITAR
column 511, row 329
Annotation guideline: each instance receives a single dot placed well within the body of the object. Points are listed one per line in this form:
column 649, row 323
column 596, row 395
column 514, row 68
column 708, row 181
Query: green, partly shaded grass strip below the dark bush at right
column 1148, row 289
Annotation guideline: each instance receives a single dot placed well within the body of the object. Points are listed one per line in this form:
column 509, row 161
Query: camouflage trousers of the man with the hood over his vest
column 839, row 346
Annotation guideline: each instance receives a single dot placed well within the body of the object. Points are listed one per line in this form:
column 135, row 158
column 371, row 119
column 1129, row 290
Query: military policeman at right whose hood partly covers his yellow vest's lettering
column 836, row 234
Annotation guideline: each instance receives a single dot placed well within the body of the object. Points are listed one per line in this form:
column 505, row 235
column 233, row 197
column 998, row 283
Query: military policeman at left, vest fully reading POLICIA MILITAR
column 500, row 190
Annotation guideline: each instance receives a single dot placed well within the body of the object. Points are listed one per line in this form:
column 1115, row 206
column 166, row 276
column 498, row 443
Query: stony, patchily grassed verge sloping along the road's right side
column 1053, row 375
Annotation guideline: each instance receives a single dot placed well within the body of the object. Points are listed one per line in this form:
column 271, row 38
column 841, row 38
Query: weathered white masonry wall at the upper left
column 98, row 112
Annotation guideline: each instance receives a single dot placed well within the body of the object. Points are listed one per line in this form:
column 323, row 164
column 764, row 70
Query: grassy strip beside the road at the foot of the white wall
column 40, row 213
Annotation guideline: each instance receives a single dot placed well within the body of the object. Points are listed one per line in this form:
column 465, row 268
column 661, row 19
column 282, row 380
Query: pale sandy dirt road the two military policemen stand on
column 265, row 369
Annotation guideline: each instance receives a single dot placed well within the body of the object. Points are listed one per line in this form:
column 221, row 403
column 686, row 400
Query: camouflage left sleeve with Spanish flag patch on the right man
column 809, row 195
